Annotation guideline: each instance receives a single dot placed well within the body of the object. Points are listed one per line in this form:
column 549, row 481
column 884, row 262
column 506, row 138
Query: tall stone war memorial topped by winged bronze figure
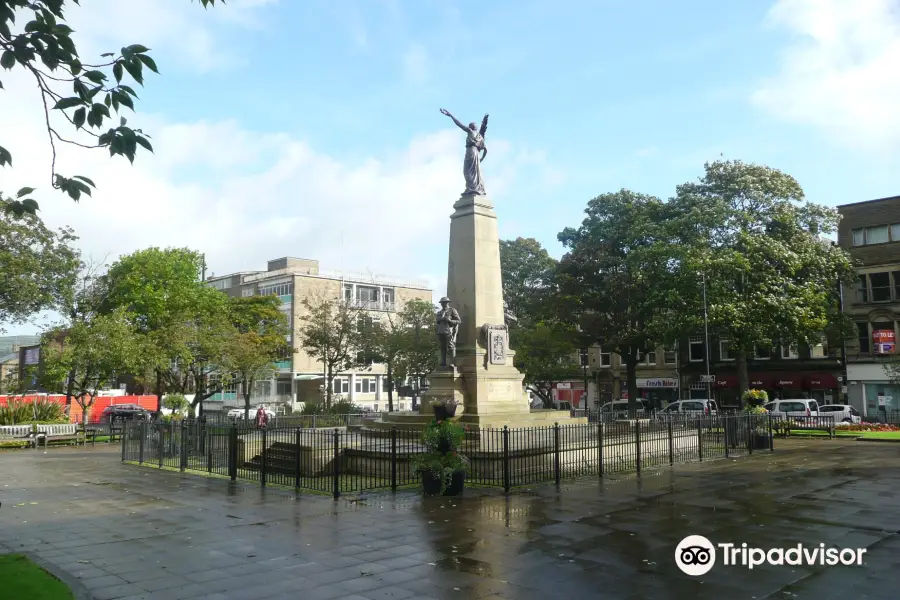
column 482, row 379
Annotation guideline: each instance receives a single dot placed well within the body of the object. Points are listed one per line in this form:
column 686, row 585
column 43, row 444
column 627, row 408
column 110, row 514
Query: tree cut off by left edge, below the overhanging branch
column 38, row 266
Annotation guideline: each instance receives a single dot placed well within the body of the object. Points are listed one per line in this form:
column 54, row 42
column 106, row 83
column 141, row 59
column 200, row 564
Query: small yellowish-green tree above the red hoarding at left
column 86, row 357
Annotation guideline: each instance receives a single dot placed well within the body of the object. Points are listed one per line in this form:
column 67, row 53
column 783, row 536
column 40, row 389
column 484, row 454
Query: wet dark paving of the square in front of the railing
column 133, row 532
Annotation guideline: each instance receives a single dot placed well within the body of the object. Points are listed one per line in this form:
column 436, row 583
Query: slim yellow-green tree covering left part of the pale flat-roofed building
column 260, row 340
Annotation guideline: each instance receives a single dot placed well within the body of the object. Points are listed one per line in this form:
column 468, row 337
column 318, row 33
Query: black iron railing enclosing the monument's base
column 339, row 460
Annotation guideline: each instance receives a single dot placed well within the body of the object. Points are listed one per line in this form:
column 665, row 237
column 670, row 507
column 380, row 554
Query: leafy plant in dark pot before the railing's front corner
column 441, row 466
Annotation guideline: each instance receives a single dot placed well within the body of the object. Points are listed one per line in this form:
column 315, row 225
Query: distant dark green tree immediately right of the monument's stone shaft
column 527, row 271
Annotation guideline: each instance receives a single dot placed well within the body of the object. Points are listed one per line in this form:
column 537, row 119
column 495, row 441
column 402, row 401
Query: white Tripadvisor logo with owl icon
column 695, row 555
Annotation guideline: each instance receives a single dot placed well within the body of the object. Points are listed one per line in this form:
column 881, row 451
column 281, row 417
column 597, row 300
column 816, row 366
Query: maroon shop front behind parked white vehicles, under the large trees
column 823, row 387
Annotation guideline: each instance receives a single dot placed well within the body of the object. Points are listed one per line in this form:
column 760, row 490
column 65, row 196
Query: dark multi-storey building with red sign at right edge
column 870, row 231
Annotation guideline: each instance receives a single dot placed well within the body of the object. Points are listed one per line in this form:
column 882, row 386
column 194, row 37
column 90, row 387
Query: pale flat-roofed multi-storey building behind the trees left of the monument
column 300, row 377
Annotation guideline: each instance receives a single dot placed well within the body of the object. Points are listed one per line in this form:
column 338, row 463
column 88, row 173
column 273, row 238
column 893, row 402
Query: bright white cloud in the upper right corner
column 839, row 73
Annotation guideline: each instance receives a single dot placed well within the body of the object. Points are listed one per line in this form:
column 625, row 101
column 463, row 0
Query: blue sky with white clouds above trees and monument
column 312, row 128
